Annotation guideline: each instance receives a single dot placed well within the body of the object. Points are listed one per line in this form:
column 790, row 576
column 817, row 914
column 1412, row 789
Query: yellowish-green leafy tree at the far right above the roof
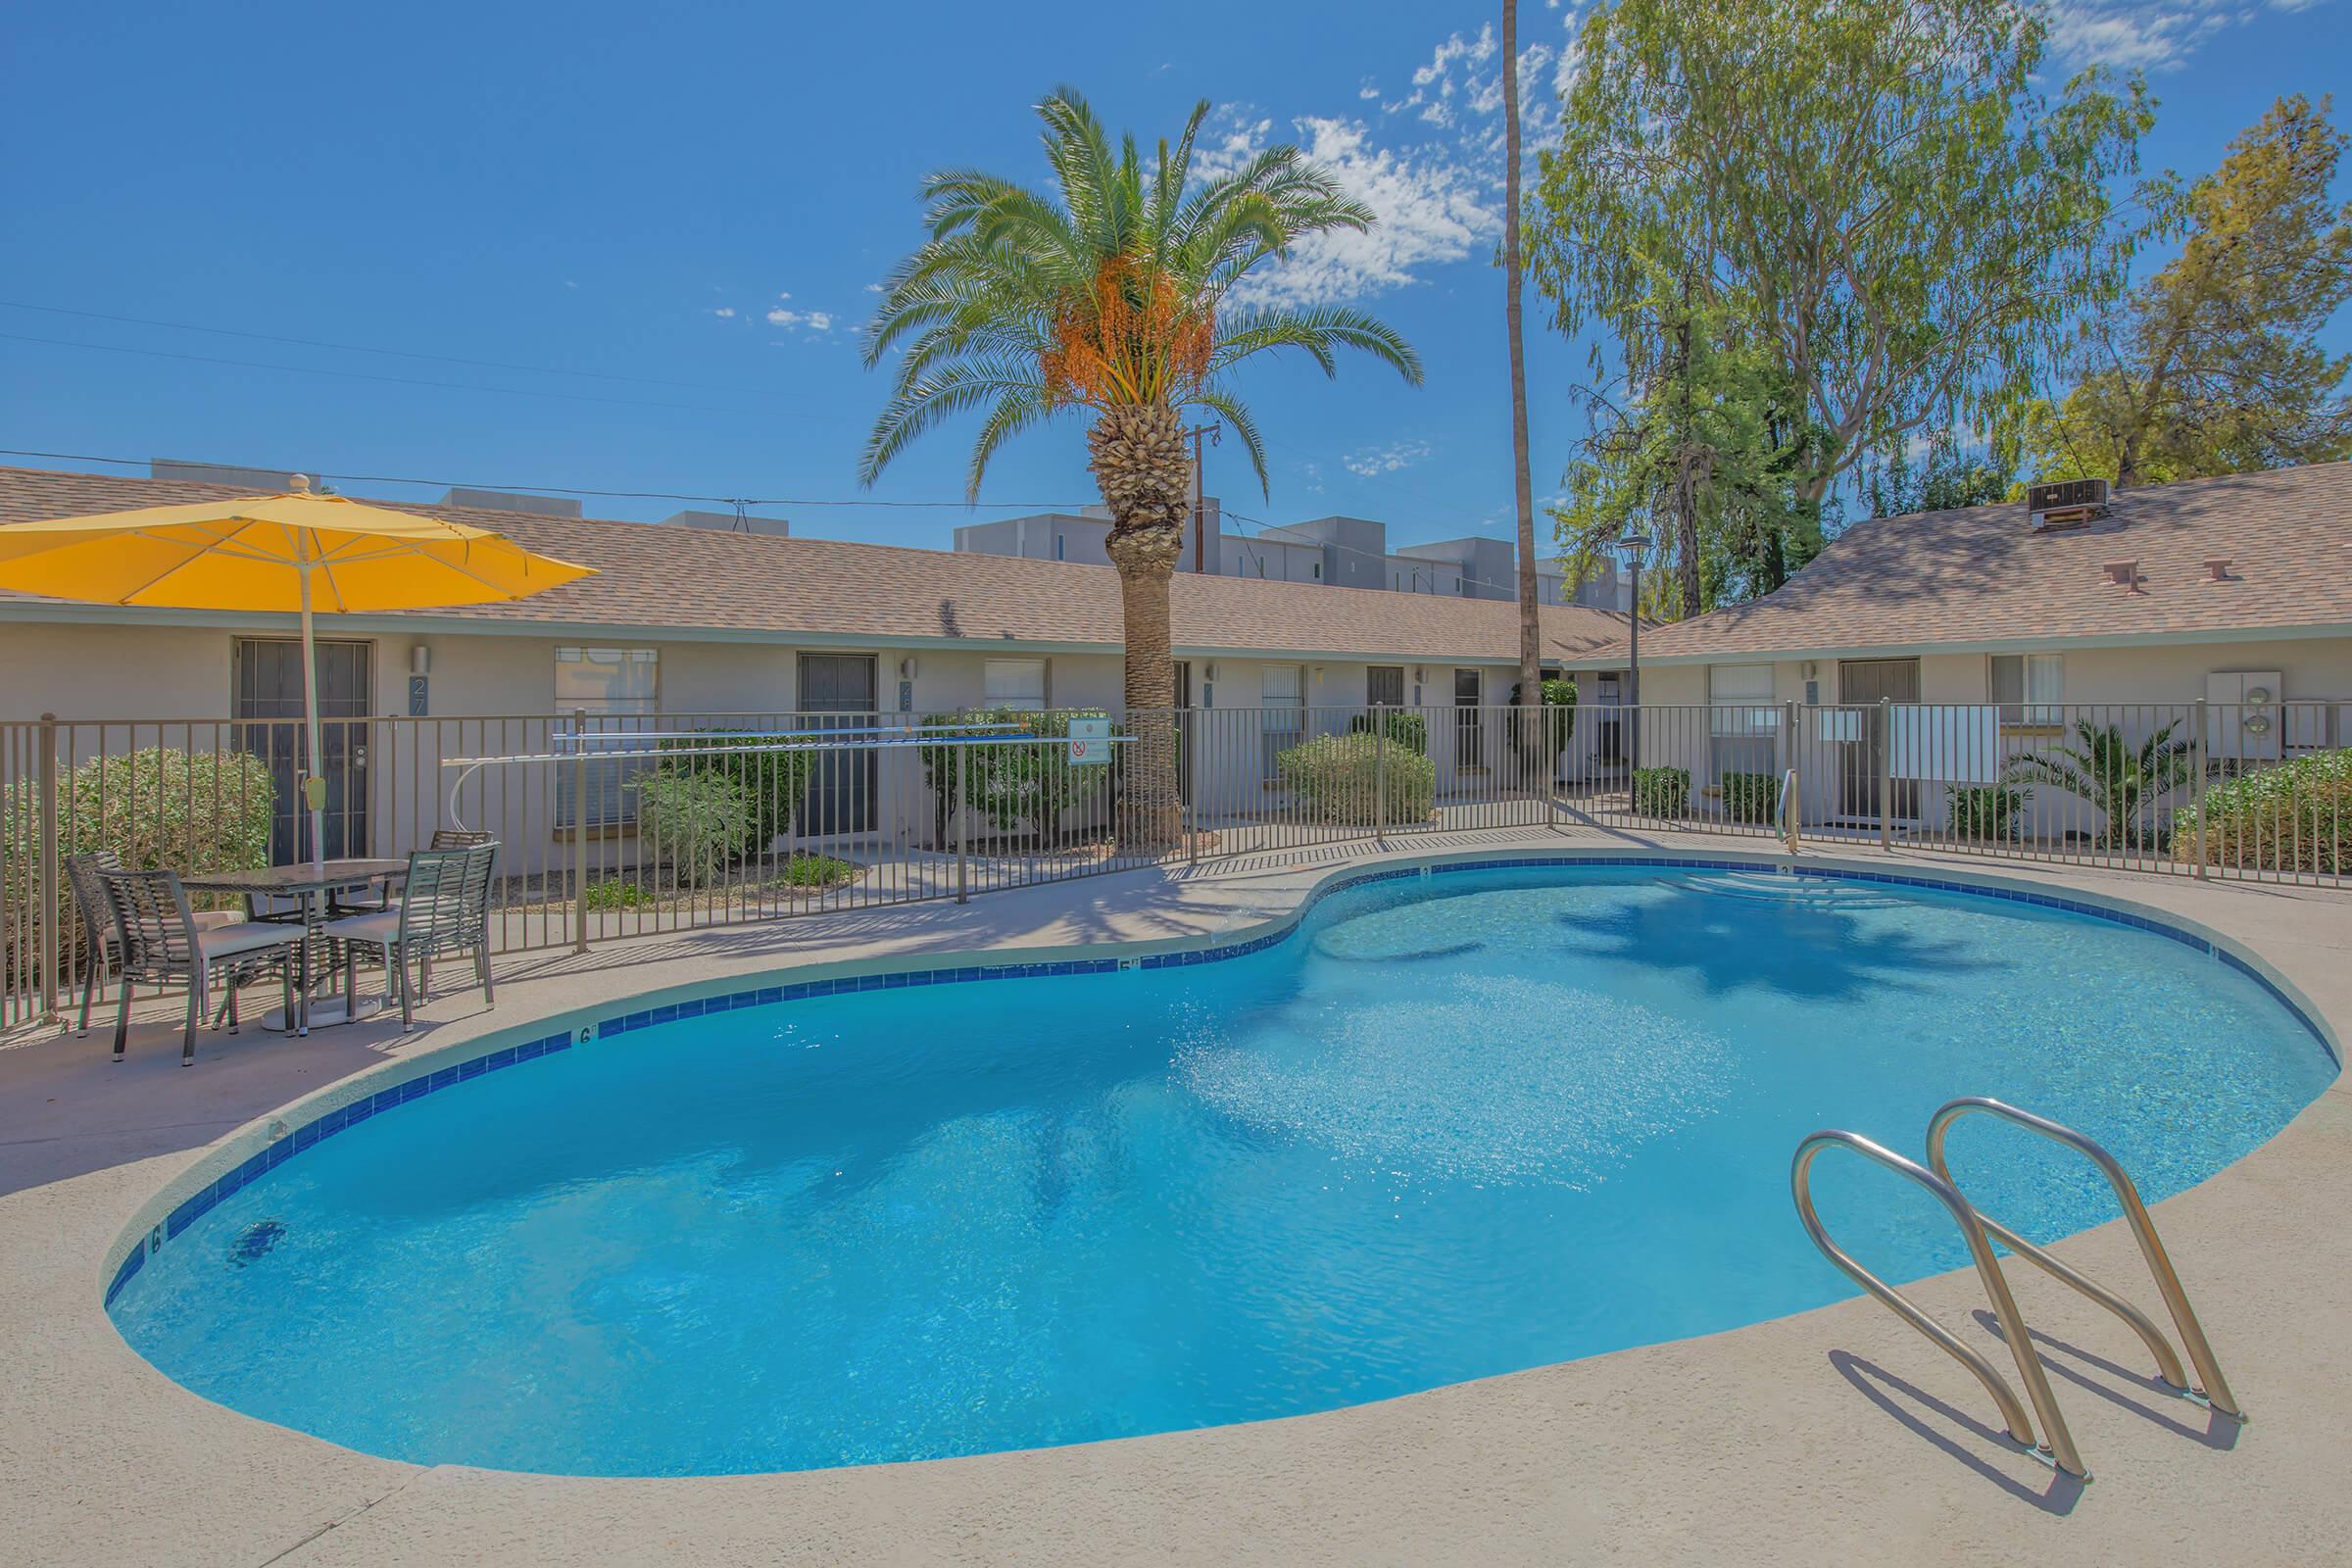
column 2214, row 366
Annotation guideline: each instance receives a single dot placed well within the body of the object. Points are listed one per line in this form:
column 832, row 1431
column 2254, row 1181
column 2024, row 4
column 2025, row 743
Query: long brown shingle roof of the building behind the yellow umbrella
column 669, row 579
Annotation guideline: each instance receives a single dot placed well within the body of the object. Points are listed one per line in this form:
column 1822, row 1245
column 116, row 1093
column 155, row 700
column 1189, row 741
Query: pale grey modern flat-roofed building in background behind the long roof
column 1332, row 551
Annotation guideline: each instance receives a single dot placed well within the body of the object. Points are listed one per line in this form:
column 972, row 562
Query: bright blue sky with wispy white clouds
column 683, row 208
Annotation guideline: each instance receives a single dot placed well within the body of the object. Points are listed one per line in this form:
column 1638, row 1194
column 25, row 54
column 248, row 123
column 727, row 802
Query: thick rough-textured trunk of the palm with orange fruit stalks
column 1144, row 474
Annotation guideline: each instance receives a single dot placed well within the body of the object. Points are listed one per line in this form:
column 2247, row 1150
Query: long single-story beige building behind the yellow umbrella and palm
column 709, row 629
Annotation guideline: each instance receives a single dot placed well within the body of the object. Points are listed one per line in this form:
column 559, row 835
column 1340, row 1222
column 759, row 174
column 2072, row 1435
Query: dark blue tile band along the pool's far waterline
column 316, row 1132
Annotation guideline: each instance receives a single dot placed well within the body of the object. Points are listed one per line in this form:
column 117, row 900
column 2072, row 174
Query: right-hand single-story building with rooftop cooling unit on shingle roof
column 2005, row 629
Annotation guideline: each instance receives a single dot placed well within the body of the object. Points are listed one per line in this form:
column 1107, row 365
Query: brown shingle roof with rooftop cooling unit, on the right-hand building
column 1984, row 577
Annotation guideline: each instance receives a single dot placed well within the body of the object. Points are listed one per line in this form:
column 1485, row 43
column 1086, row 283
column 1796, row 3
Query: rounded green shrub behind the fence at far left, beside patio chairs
column 159, row 808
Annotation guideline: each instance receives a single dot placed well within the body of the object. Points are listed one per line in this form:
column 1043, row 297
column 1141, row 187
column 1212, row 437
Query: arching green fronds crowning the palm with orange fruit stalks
column 975, row 311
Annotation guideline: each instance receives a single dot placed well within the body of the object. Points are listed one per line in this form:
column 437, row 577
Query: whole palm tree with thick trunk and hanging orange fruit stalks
column 1109, row 295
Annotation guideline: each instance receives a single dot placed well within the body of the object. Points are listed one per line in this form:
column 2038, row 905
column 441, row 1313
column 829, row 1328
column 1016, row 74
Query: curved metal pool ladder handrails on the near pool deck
column 1979, row 1231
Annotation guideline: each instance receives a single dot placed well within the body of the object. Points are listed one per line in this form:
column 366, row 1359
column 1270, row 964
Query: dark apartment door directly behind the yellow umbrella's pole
column 269, row 699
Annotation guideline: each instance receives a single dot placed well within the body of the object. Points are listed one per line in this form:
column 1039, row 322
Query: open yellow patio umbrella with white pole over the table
column 276, row 554
